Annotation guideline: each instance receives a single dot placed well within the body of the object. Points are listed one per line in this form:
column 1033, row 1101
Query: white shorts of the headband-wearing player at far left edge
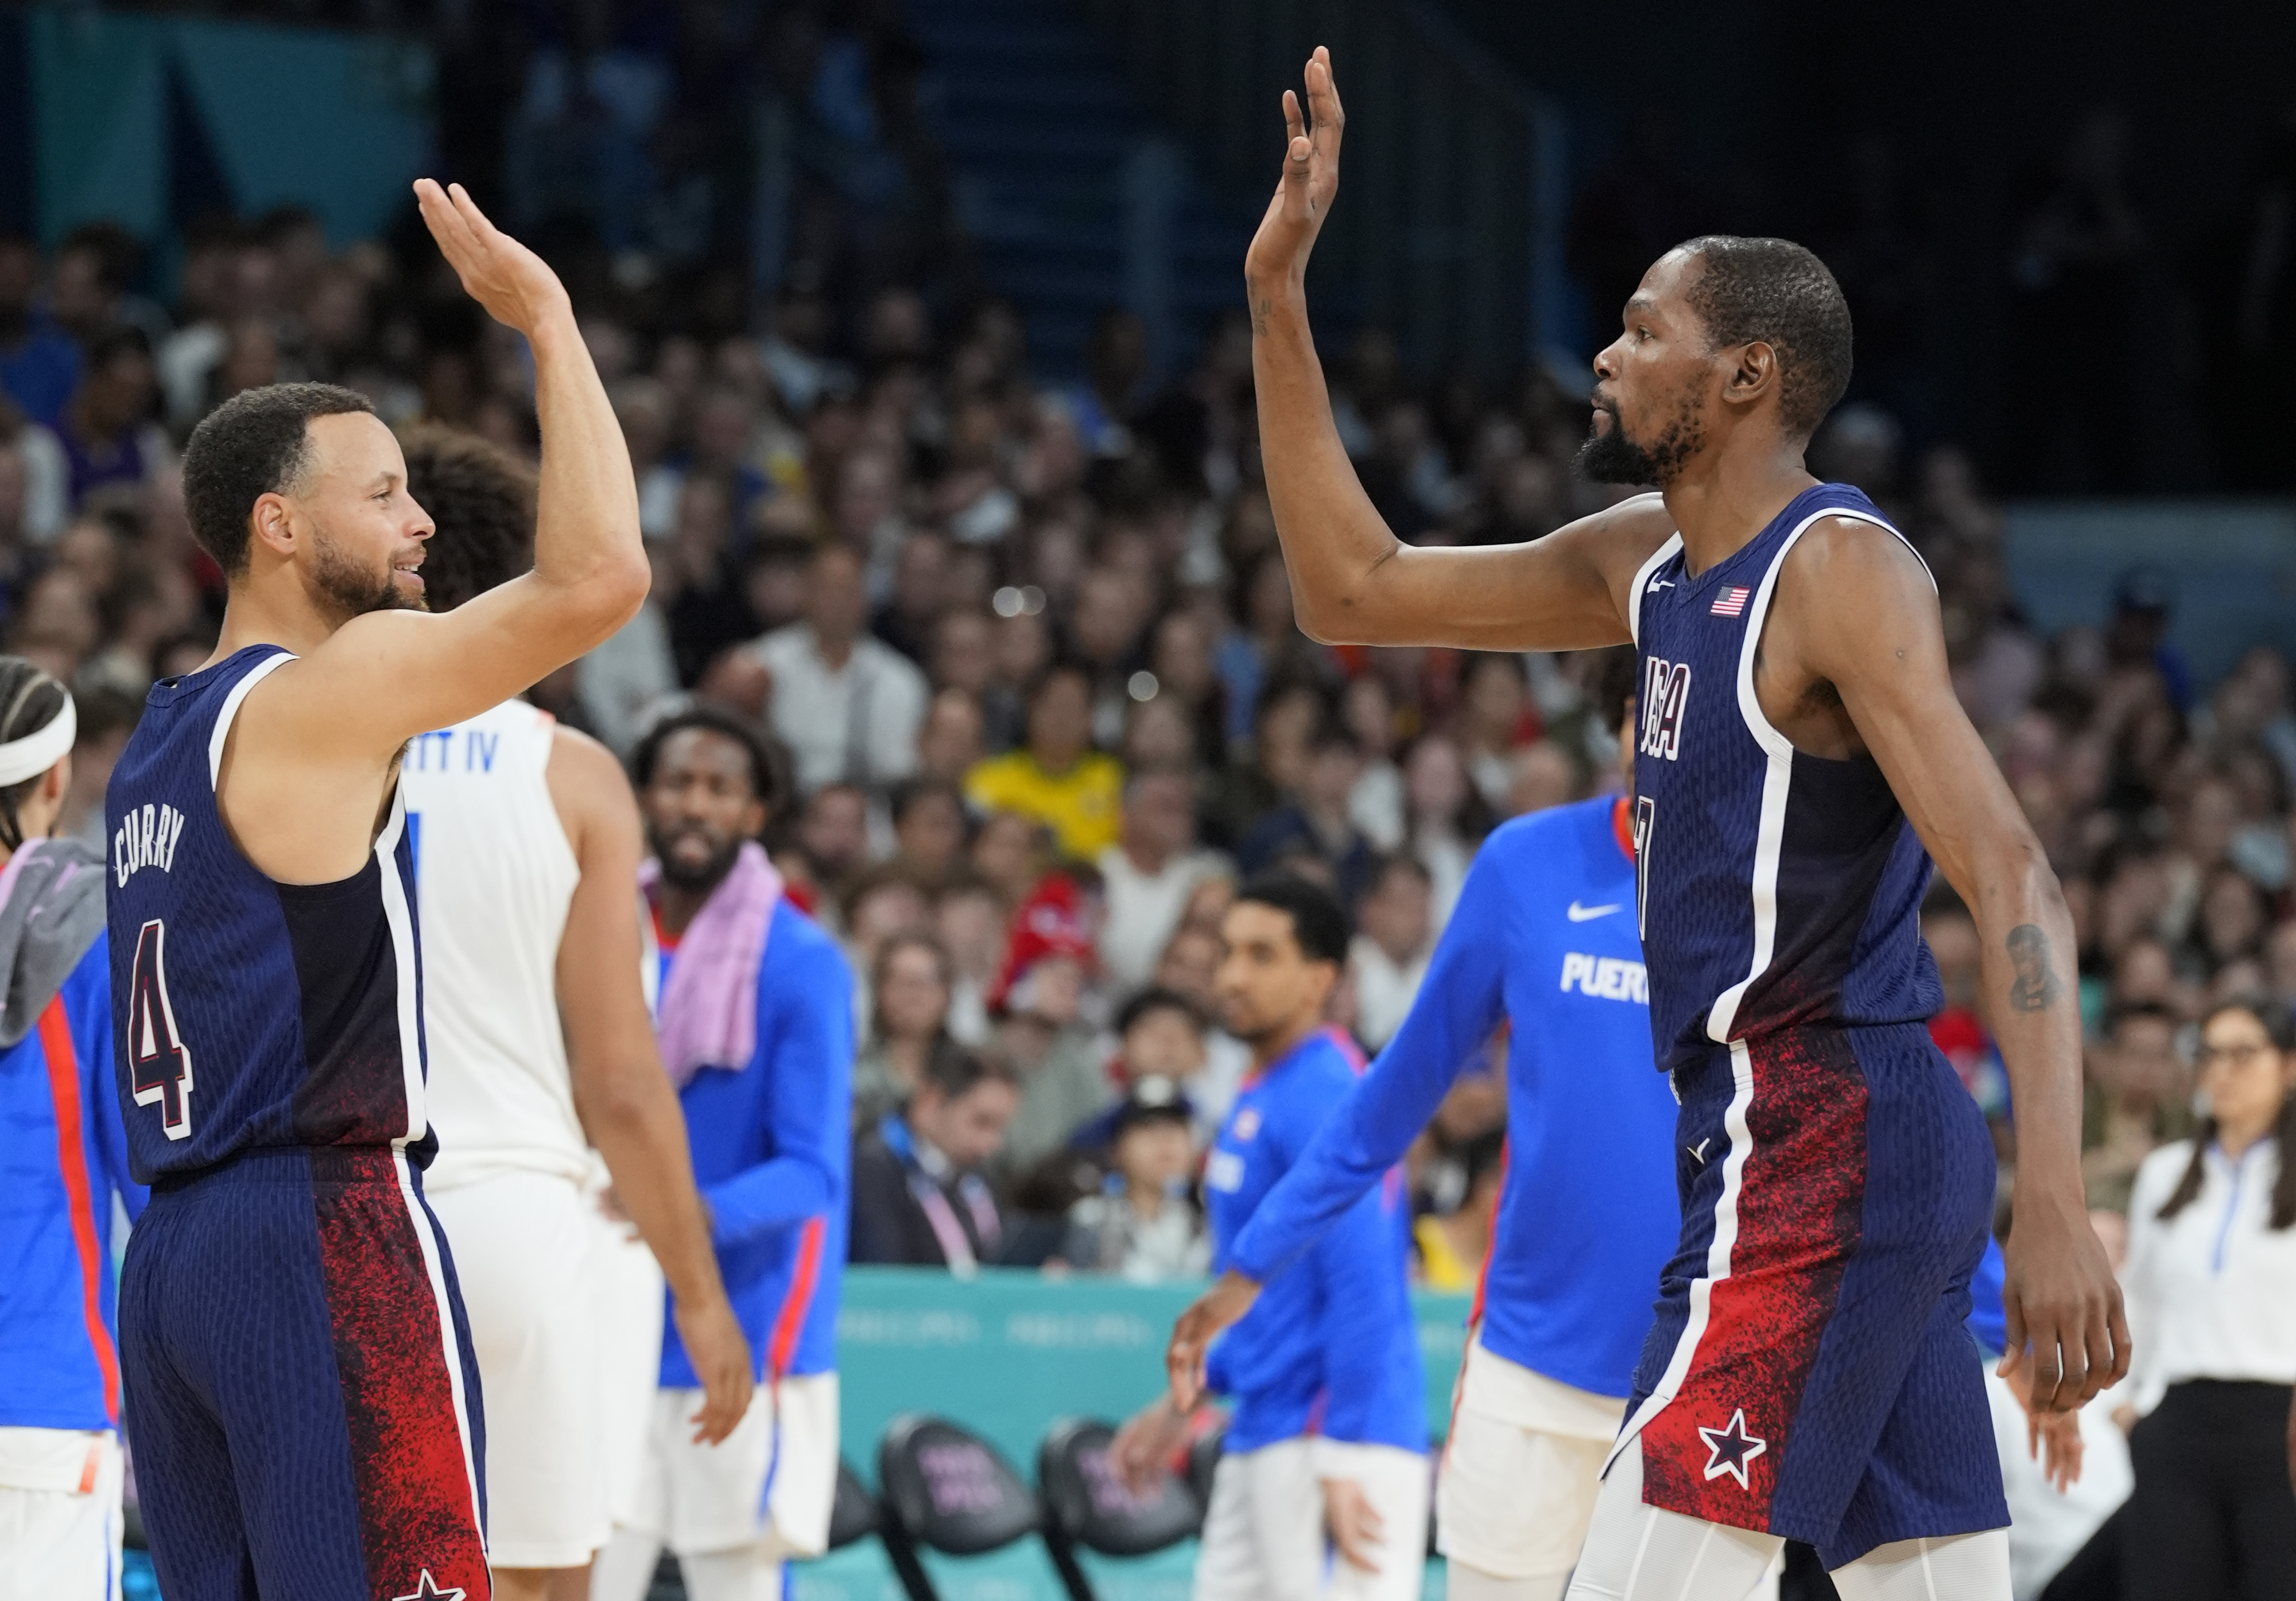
column 59, row 1515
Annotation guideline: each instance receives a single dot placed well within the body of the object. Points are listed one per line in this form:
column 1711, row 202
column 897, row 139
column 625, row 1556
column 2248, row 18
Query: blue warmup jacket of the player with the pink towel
column 773, row 1153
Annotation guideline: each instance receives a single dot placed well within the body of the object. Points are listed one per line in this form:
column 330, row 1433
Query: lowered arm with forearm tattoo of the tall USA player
column 1865, row 620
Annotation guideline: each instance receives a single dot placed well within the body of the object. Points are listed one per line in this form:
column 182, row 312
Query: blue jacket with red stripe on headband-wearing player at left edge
column 63, row 1157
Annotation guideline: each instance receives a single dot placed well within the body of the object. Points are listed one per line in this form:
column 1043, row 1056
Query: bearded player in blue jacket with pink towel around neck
column 757, row 1031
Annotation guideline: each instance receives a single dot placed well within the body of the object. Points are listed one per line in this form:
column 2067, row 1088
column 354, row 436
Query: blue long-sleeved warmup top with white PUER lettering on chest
column 1544, row 939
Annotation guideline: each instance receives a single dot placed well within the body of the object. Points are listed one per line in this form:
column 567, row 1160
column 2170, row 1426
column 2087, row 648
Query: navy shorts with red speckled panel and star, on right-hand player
column 1810, row 1373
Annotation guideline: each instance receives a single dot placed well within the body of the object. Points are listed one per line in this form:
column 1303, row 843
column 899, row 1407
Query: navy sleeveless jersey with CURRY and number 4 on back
column 251, row 1013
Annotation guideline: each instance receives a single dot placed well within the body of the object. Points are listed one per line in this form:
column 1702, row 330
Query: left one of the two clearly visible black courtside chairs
column 945, row 1490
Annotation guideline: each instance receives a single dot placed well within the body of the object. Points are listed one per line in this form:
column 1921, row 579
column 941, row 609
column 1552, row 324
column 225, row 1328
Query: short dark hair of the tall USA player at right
column 1781, row 295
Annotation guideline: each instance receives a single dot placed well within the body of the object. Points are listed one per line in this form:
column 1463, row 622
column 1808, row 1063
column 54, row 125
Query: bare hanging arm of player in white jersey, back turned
column 621, row 1093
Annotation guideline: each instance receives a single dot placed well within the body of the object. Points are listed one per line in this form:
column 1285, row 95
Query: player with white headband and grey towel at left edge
column 63, row 1162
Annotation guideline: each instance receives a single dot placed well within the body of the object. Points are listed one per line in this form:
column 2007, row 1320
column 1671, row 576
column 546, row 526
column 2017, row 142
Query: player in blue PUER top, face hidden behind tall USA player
column 1542, row 939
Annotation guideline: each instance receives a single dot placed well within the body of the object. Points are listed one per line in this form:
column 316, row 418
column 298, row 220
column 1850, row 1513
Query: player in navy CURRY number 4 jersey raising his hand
column 293, row 1341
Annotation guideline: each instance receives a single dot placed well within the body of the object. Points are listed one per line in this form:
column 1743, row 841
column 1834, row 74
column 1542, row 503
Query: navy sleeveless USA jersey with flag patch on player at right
column 1774, row 889
